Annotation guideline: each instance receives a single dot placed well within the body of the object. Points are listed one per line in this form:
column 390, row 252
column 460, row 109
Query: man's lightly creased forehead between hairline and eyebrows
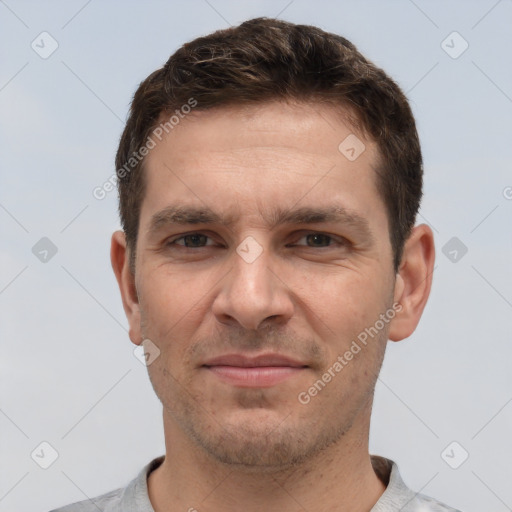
column 248, row 159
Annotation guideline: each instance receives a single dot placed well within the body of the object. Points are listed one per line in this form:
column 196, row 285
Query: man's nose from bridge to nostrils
column 253, row 293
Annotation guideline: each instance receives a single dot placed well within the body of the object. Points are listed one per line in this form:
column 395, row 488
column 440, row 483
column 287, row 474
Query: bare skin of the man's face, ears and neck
column 308, row 297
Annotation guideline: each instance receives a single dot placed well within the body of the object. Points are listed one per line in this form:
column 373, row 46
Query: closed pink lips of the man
column 262, row 371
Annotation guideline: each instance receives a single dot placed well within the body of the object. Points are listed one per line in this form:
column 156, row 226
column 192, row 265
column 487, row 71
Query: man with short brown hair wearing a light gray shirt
column 269, row 181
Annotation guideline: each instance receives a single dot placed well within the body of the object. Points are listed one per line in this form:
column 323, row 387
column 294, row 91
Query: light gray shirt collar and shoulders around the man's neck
column 134, row 497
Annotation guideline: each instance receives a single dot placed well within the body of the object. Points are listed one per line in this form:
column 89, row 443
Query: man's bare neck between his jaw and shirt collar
column 340, row 478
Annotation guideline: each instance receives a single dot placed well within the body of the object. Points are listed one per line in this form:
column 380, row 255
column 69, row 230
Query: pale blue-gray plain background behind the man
column 68, row 373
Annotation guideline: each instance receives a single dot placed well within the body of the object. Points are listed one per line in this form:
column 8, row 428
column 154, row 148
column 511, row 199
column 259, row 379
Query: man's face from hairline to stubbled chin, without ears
column 213, row 297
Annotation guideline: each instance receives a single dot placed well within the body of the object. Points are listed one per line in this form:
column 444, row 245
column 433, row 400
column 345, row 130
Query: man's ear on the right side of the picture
column 413, row 282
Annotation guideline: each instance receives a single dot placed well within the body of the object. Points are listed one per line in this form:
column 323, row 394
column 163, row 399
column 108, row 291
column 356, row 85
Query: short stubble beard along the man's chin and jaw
column 260, row 447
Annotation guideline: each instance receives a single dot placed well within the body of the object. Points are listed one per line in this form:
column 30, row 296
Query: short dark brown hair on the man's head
column 266, row 59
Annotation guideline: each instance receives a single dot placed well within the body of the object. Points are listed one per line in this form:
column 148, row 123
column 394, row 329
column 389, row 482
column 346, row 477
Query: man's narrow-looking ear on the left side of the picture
column 120, row 259
